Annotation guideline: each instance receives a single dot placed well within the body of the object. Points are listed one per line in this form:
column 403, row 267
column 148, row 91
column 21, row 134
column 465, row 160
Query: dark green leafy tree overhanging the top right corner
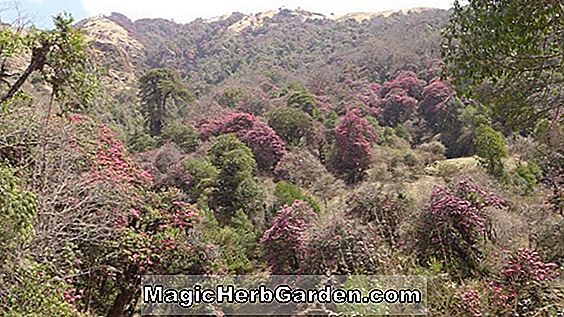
column 515, row 47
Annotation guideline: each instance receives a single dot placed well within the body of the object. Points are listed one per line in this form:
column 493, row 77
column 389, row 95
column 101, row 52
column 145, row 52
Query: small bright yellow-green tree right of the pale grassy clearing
column 491, row 148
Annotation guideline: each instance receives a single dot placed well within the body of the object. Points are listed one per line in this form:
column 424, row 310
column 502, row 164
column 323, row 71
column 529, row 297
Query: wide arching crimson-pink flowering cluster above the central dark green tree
column 268, row 148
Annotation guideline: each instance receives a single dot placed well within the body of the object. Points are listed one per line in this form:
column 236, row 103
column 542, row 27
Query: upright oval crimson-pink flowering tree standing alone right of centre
column 354, row 139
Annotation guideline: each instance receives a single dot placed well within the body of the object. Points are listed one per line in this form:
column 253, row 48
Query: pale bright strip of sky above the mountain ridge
column 39, row 12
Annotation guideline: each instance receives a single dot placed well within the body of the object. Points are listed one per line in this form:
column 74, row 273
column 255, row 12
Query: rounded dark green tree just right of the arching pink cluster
column 290, row 123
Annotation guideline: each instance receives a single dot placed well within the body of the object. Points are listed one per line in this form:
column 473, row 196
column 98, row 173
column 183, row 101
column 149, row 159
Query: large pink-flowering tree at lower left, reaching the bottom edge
column 150, row 232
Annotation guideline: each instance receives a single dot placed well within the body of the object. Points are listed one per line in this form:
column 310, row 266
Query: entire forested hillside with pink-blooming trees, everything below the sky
column 418, row 142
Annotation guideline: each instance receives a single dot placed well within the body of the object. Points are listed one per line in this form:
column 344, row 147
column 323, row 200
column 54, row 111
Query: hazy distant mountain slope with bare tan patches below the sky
column 275, row 45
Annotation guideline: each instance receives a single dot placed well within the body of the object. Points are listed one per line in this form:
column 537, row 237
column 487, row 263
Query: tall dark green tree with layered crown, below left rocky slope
column 156, row 87
